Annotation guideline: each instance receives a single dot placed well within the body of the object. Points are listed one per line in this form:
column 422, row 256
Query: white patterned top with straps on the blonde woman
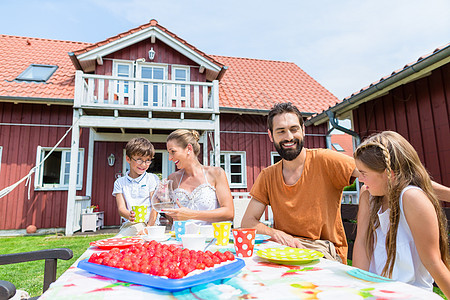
column 203, row 197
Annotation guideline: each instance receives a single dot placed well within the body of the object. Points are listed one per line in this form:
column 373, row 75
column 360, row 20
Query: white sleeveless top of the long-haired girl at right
column 408, row 267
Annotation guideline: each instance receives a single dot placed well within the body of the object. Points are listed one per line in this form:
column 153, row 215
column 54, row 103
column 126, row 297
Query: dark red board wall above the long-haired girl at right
column 420, row 112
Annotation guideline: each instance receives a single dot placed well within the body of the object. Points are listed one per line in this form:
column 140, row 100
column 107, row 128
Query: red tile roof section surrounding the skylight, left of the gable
column 17, row 53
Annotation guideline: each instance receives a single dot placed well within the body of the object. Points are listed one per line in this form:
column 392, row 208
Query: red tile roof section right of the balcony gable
column 259, row 84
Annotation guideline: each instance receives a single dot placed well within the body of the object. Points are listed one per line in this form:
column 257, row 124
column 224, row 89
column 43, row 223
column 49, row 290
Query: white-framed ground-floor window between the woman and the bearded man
column 235, row 166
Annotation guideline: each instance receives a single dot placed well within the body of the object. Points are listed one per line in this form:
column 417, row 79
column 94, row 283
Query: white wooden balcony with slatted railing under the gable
column 117, row 97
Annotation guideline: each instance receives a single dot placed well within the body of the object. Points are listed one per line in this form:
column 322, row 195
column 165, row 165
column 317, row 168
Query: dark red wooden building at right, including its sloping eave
column 413, row 101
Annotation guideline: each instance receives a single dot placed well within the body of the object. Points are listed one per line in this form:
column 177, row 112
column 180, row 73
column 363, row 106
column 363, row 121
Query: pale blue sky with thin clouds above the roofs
column 345, row 45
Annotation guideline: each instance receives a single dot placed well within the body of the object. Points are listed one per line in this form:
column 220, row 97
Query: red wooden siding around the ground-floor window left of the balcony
column 45, row 209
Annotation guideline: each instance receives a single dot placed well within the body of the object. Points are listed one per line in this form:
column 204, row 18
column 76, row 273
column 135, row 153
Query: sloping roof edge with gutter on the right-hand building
column 365, row 95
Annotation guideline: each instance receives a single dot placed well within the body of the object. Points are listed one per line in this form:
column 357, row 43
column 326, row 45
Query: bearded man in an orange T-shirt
column 304, row 189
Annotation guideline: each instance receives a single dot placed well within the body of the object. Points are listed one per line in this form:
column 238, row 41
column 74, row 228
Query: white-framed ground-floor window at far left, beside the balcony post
column 54, row 172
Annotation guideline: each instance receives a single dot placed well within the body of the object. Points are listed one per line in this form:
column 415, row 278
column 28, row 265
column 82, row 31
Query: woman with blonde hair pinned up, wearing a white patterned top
column 202, row 192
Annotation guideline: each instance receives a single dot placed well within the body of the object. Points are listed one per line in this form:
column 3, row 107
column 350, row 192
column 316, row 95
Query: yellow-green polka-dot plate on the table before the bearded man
column 289, row 256
